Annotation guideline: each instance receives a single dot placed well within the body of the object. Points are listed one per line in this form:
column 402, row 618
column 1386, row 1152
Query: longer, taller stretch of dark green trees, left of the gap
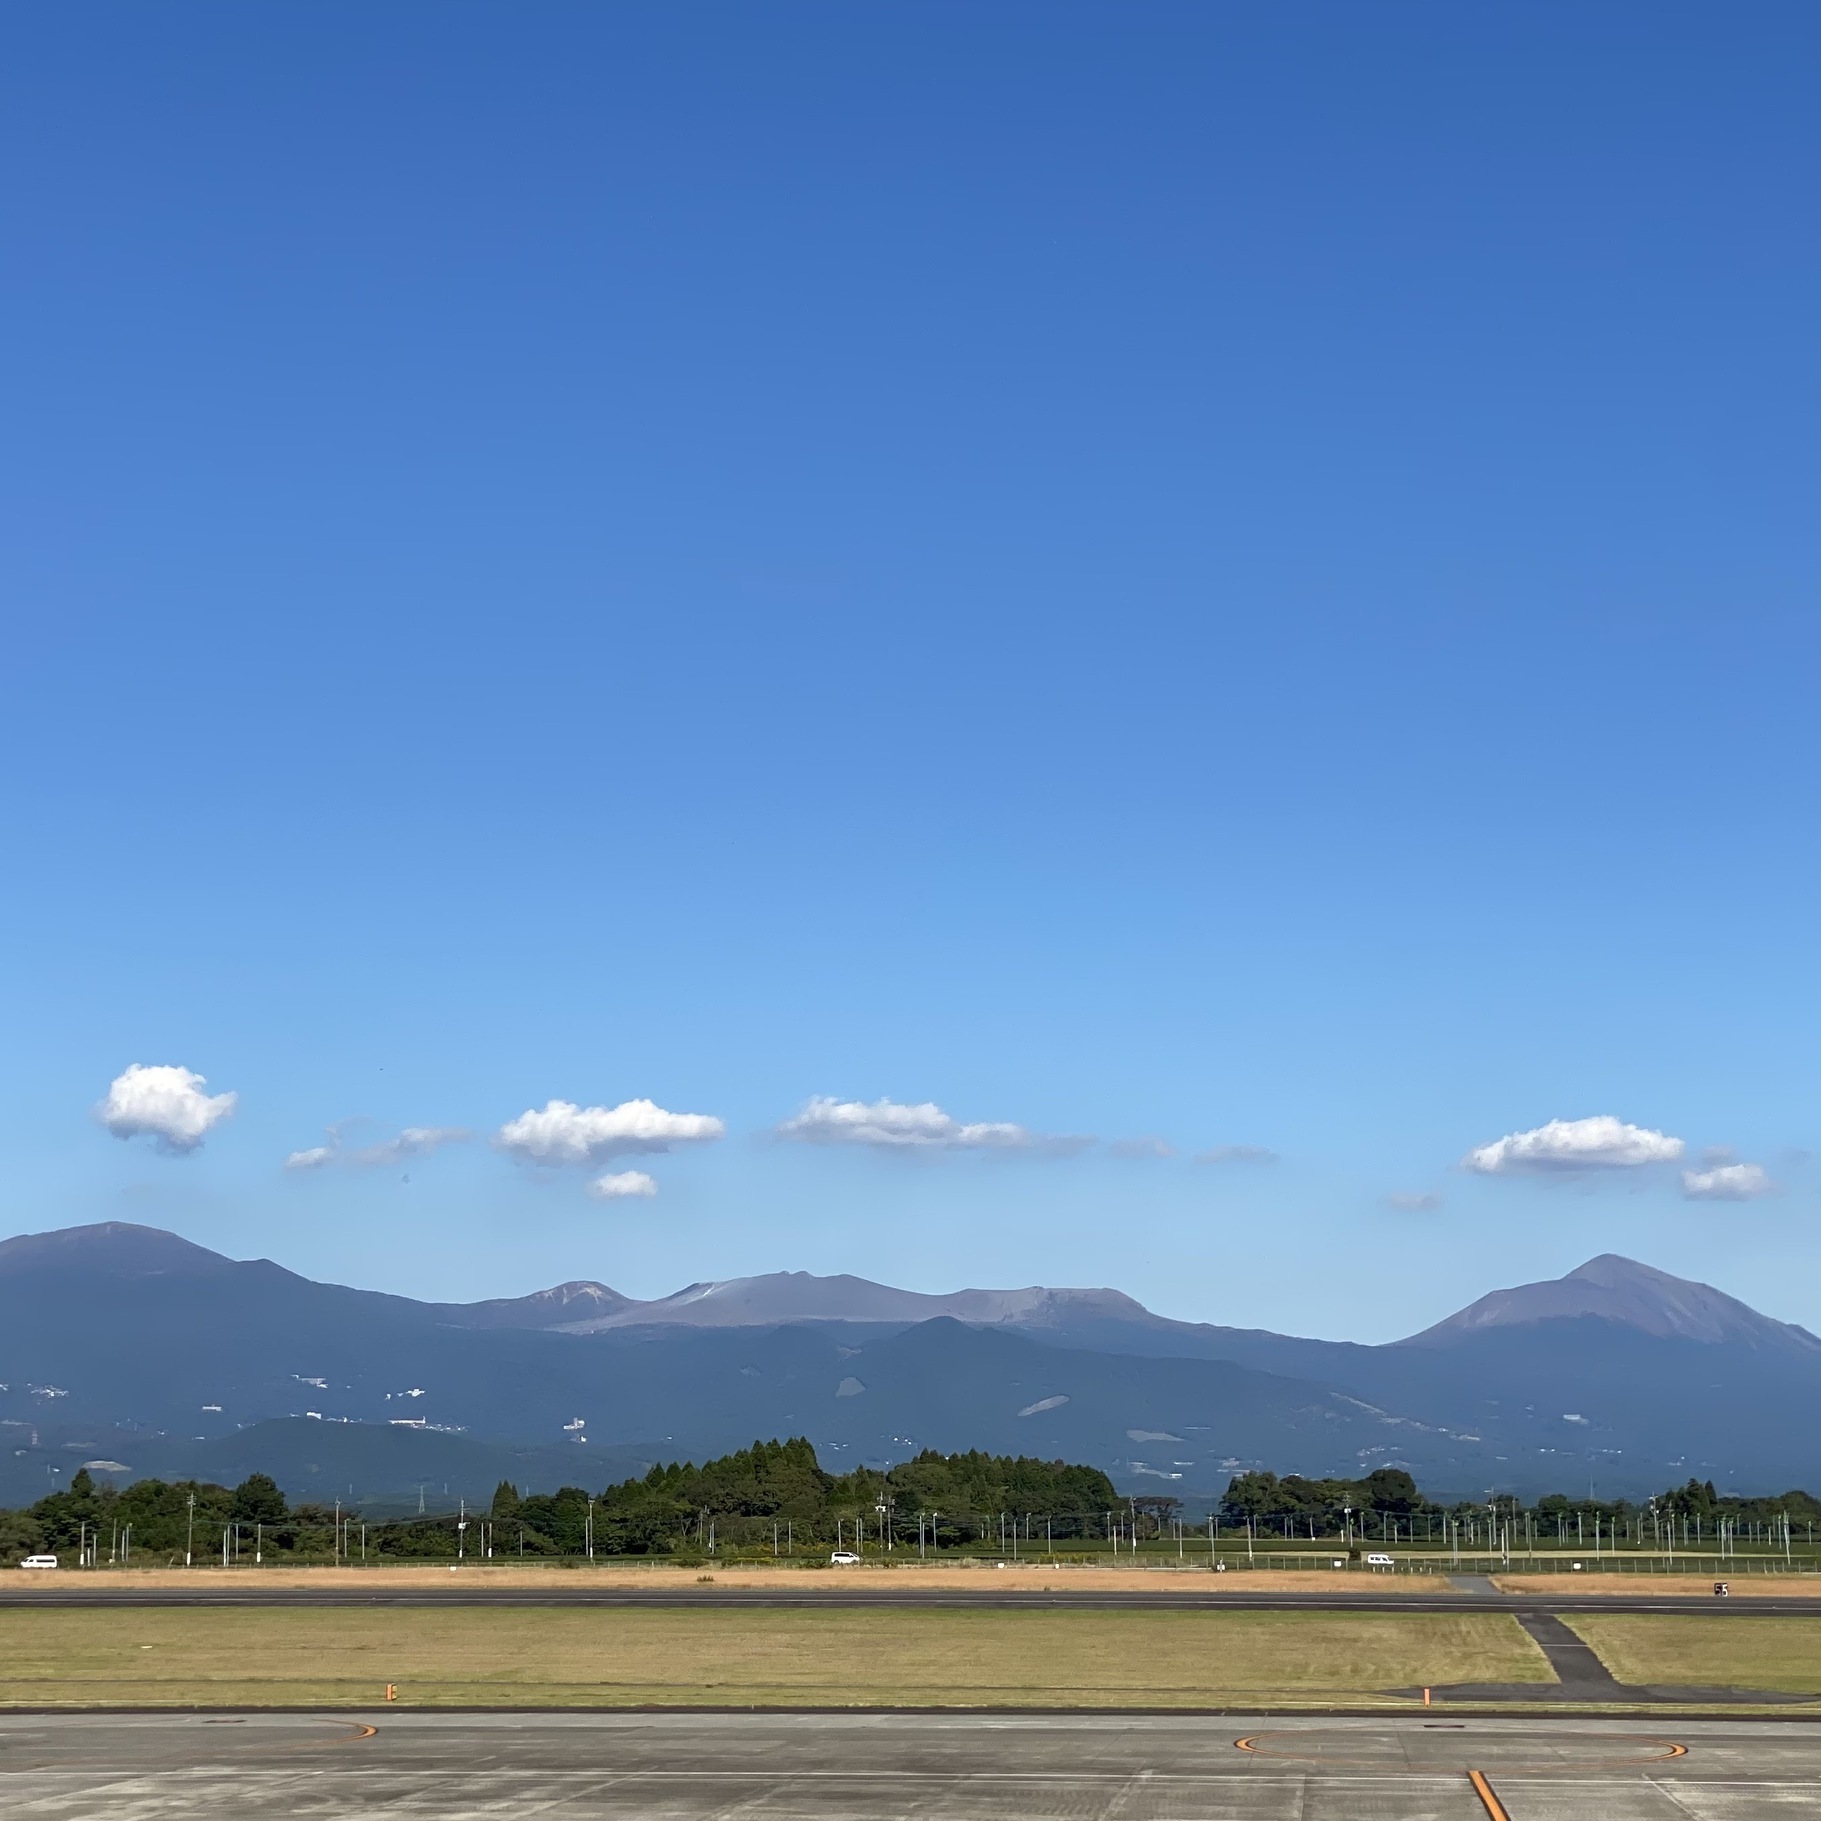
column 768, row 1496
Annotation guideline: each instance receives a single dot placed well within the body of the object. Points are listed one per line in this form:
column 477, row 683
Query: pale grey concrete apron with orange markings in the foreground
column 691, row 1767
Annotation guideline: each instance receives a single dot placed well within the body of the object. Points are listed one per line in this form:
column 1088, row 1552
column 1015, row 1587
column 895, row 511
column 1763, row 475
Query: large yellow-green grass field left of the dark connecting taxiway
column 780, row 1658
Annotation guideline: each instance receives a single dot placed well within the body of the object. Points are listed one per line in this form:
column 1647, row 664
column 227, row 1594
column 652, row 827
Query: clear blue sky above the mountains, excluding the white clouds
column 1241, row 576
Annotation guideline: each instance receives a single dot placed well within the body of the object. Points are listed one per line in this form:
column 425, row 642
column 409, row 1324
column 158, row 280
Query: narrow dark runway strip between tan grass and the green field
column 249, row 1592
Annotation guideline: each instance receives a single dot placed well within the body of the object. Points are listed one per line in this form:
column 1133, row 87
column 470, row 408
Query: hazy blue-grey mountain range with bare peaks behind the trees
column 136, row 1348
